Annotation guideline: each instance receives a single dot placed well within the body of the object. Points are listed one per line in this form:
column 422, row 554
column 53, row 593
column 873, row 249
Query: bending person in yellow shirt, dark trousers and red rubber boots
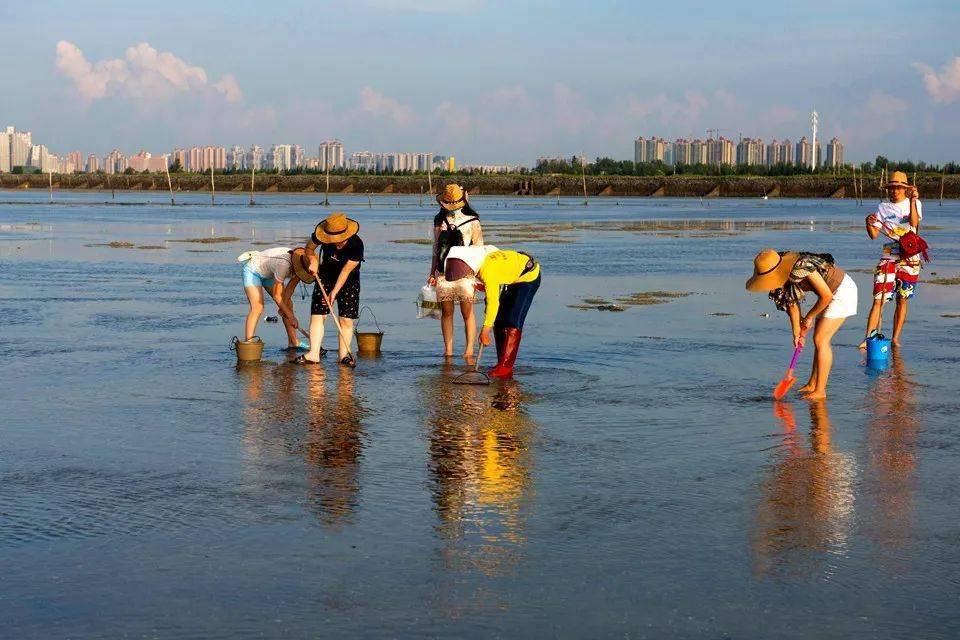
column 511, row 279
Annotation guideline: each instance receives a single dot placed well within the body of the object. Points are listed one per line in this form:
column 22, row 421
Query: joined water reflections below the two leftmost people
column 323, row 426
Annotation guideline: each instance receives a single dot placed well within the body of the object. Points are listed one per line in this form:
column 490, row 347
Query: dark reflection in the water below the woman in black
column 333, row 446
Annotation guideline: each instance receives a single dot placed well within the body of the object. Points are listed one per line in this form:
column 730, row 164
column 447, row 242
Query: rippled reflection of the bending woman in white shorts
column 807, row 500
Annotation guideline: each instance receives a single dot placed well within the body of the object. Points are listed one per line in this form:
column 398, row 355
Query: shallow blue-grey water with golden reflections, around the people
column 635, row 480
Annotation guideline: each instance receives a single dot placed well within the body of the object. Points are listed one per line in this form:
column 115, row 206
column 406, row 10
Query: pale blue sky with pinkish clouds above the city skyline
column 489, row 81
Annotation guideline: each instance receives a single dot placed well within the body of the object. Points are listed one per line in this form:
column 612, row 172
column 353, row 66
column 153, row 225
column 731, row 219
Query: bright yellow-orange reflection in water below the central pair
column 480, row 465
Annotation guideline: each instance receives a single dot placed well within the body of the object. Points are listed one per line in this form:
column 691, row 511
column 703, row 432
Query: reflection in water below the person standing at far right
column 891, row 454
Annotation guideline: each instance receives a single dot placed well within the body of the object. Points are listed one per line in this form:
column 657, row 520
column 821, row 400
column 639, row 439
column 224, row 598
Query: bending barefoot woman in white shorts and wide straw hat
column 788, row 276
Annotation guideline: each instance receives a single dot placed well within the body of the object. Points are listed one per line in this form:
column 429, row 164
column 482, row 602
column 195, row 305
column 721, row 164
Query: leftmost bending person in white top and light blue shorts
column 272, row 270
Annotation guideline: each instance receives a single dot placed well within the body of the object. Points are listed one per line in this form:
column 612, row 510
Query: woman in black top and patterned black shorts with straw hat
column 337, row 273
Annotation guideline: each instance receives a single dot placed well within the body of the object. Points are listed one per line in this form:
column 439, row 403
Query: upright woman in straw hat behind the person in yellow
column 456, row 225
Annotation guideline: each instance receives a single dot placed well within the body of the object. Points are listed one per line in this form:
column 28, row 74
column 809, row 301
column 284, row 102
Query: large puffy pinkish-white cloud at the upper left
column 143, row 74
